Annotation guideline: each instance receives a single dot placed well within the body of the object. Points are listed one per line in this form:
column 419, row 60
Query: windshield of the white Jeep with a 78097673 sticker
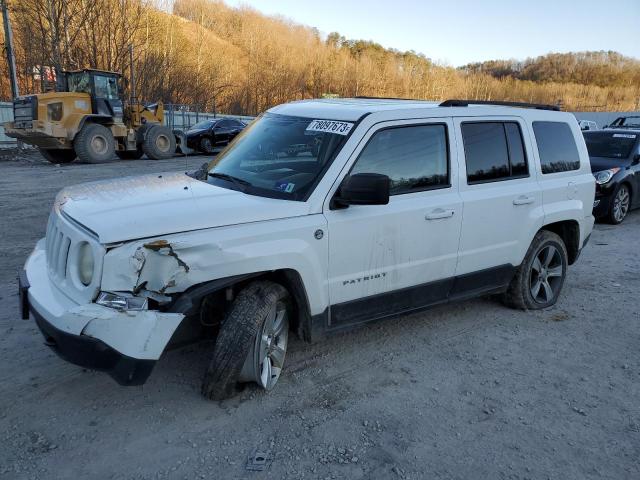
column 279, row 156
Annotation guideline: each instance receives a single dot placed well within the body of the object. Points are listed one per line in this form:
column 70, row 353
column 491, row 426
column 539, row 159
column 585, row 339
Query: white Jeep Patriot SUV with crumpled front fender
column 322, row 215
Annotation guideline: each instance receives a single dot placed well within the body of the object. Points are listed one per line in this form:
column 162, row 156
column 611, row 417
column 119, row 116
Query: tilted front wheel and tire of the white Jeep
column 240, row 333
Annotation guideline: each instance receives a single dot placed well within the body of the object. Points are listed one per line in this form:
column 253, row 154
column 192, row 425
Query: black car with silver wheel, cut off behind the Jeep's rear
column 615, row 163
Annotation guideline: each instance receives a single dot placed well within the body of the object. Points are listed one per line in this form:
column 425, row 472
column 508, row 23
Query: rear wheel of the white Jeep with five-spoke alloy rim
column 528, row 288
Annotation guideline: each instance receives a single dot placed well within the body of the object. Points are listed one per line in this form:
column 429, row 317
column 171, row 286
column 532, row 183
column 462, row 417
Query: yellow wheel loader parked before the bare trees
column 89, row 121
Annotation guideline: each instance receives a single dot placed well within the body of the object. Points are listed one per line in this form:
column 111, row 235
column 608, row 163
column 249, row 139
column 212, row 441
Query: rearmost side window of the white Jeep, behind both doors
column 556, row 147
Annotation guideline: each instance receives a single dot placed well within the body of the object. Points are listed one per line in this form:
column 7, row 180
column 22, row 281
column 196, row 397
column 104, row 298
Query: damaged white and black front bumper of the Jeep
column 125, row 344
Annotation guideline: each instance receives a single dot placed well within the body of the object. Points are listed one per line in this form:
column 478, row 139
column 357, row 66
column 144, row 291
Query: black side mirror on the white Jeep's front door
column 363, row 189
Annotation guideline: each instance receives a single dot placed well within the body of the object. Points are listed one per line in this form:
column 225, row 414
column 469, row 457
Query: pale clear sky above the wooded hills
column 462, row 31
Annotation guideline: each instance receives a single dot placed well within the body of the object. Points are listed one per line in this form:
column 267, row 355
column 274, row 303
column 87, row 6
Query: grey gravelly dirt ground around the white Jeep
column 466, row 391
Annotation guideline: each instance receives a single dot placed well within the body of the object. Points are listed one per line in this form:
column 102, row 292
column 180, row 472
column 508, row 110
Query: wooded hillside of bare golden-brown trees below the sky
column 240, row 61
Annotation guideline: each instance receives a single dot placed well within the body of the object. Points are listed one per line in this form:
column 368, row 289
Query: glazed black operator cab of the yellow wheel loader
column 102, row 86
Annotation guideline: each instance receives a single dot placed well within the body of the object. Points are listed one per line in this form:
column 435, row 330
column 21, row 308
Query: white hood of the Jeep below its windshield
column 160, row 204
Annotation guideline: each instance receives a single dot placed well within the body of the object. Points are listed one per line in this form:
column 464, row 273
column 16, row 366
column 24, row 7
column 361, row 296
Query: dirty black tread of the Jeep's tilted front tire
column 237, row 334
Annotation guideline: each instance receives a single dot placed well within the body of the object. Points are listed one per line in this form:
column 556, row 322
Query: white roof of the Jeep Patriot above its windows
column 352, row 109
